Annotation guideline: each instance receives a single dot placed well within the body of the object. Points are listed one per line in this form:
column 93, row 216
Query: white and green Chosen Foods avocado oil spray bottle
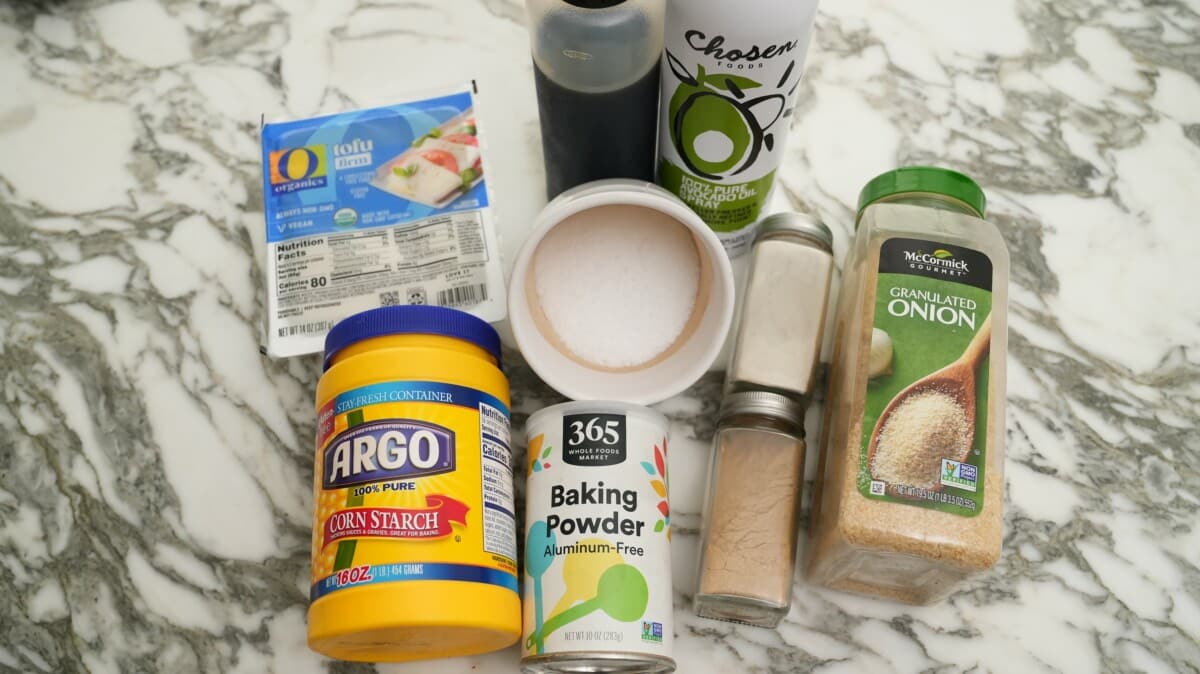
column 730, row 77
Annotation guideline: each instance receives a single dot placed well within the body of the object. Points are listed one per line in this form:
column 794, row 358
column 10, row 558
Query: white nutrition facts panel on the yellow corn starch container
column 500, row 520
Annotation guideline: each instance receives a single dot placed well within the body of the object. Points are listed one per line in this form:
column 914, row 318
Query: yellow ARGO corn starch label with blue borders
column 413, row 483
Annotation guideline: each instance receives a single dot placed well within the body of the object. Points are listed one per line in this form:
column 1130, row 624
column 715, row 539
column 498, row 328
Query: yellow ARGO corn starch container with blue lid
column 415, row 535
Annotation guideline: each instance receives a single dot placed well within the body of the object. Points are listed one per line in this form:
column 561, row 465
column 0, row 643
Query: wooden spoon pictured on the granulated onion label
column 957, row 381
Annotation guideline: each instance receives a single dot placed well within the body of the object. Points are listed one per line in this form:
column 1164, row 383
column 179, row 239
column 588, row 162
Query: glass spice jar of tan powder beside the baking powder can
column 749, row 527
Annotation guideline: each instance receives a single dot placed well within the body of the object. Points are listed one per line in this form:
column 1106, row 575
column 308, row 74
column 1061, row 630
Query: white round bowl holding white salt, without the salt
column 667, row 375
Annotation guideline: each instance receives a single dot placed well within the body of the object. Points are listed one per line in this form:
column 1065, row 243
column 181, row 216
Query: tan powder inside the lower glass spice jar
column 752, row 521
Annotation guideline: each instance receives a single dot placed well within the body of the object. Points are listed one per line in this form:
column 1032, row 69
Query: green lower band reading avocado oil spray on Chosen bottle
column 725, row 207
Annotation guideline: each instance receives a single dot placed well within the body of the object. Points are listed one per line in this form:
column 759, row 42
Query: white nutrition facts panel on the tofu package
column 439, row 261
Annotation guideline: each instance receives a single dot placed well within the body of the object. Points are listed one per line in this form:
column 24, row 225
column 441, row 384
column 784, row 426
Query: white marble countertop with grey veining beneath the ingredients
column 155, row 468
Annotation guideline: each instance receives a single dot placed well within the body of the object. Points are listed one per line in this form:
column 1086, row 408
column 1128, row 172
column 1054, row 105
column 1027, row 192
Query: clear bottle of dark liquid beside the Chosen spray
column 597, row 73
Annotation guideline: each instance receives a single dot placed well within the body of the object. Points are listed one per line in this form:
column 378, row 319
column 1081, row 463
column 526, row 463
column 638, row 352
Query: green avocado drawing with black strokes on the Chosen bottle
column 717, row 128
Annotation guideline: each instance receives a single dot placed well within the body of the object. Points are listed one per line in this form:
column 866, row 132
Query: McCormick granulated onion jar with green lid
column 910, row 497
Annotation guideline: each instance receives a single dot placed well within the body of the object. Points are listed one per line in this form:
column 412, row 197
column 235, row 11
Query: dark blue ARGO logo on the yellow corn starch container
column 381, row 452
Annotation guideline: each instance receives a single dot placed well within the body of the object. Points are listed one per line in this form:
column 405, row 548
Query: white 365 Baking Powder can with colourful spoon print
column 598, row 533
